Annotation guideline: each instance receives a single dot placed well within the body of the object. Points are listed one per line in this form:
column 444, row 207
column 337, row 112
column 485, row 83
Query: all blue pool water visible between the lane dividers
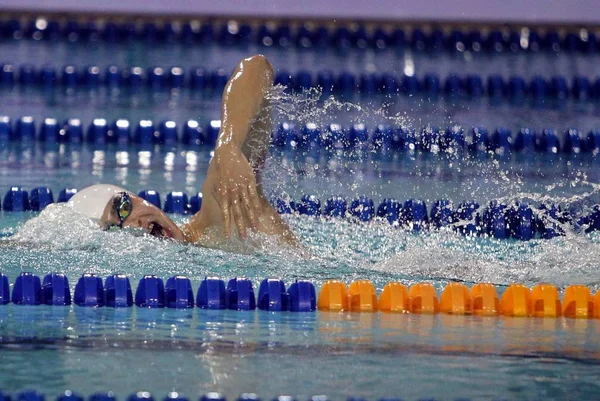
column 338, row 354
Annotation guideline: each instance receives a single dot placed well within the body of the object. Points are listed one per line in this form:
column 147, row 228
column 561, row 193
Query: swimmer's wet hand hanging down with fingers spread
column 234, row 187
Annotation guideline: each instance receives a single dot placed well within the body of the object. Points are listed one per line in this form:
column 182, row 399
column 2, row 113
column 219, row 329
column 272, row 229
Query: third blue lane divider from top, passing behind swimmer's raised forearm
column 332, row 137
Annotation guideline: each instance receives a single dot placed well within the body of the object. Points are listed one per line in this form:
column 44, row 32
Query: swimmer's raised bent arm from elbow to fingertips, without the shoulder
column 234, row 183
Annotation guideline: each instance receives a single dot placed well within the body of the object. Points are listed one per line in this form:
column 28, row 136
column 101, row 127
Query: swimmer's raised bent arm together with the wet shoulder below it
column 233, row 197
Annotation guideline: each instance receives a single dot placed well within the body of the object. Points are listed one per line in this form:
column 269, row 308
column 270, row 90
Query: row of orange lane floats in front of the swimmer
column 517, row 300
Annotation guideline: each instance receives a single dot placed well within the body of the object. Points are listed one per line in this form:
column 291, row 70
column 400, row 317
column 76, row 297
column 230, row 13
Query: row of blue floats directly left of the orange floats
column 116, row 292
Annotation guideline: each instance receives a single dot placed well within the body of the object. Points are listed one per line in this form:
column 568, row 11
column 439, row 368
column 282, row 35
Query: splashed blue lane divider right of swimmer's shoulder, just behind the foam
column 518, row 221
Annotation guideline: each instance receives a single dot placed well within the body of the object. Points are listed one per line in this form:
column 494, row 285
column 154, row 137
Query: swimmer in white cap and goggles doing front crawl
column 233, row 201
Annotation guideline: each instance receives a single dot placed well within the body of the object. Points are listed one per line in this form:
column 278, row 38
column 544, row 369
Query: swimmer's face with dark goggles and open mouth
column 138, row 213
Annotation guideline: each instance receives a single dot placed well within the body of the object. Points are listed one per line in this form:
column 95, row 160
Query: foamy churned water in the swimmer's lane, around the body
column 338, row 249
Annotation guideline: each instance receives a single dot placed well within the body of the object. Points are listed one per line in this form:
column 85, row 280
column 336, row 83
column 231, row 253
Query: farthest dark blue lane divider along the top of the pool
column 343, row 36
